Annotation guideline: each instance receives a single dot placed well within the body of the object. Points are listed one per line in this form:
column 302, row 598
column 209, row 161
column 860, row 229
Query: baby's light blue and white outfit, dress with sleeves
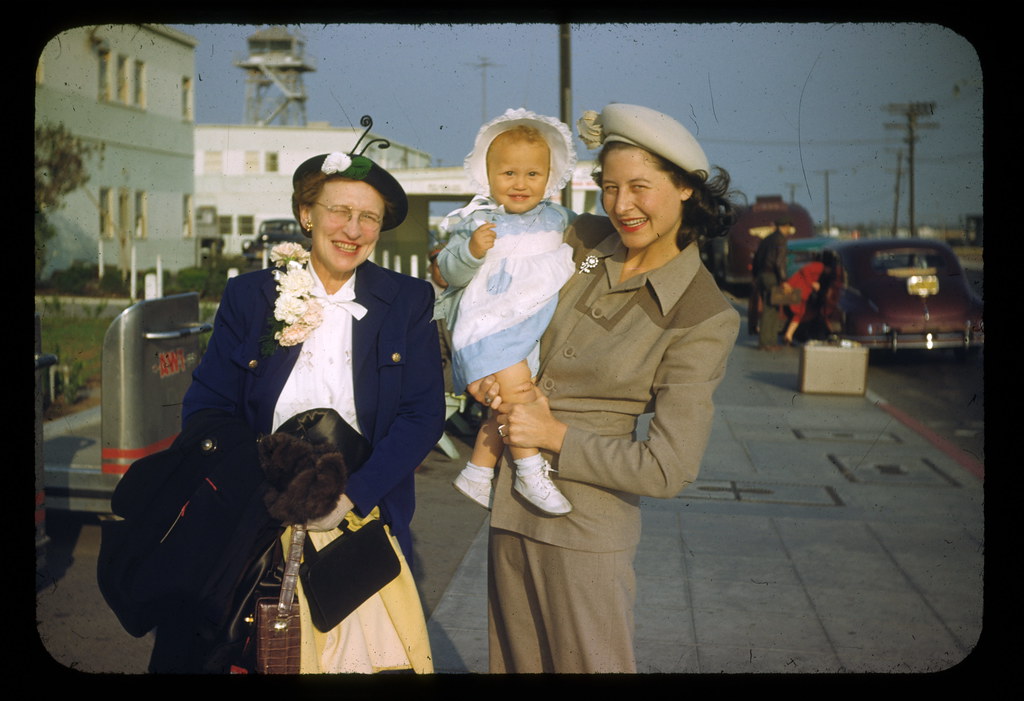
column 498, row 308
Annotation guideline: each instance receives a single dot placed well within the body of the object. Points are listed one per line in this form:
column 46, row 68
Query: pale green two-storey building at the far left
column 126, row 90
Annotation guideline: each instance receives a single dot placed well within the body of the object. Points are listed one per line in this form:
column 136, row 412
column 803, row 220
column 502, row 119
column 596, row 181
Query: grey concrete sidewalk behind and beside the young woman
column 823, row 536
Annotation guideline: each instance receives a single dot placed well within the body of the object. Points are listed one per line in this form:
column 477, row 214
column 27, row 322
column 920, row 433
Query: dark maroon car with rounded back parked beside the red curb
column 903, row 293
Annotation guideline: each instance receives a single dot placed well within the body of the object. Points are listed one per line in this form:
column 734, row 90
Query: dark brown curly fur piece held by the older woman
column 306, row 480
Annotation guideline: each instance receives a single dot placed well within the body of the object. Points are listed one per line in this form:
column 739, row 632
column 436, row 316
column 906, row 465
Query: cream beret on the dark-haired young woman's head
column 646, row 128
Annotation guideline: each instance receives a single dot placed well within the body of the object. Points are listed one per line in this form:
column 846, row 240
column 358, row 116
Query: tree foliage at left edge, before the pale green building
column 60, row 170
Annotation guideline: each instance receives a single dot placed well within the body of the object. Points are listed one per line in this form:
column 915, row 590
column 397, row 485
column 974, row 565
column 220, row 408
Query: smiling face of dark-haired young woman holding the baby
column 645, row 204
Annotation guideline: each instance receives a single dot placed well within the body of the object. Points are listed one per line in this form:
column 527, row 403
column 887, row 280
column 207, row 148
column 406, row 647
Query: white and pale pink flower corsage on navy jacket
column 296, row 314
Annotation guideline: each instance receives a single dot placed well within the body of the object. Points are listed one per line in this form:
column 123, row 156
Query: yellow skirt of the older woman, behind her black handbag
column 389, row 632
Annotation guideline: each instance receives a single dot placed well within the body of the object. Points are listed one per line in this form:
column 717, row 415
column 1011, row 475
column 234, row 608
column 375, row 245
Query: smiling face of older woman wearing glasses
column 347, row 226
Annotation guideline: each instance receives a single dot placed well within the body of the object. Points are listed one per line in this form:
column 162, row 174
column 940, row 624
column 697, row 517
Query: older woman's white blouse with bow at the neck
column 323, row 374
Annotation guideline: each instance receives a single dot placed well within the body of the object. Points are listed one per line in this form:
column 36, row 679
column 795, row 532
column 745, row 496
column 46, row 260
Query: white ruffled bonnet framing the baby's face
column 556, row 134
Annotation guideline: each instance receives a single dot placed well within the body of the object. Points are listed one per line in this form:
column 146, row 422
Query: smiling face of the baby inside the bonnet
column 518, row 172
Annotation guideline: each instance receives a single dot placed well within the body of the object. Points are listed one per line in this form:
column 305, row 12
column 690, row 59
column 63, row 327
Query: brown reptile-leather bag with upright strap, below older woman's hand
column 278, row 632
